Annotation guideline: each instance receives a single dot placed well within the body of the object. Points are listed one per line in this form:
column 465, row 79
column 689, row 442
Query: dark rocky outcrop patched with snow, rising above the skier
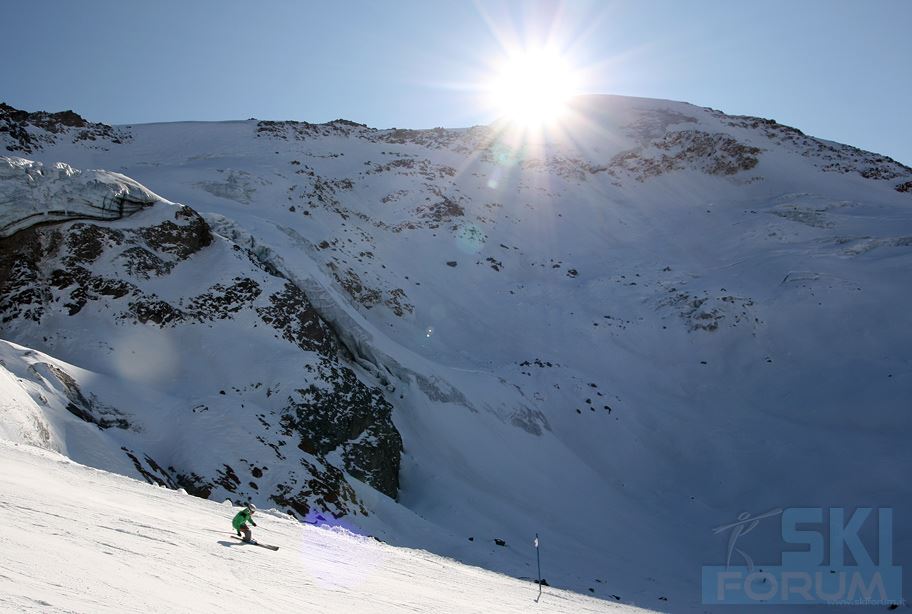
column 312, row 428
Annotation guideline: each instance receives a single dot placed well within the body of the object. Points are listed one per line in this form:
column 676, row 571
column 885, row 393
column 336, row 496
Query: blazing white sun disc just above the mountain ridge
column 531, row 88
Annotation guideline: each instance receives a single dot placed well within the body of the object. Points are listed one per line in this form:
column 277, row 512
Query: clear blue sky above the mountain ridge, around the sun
column 836, row 69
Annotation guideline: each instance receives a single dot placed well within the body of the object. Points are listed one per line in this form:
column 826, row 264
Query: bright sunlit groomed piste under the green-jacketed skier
column 77, row 539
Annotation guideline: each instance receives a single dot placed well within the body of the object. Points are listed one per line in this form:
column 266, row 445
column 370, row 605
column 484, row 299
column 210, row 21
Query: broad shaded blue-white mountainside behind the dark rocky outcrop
column 618, row 336
